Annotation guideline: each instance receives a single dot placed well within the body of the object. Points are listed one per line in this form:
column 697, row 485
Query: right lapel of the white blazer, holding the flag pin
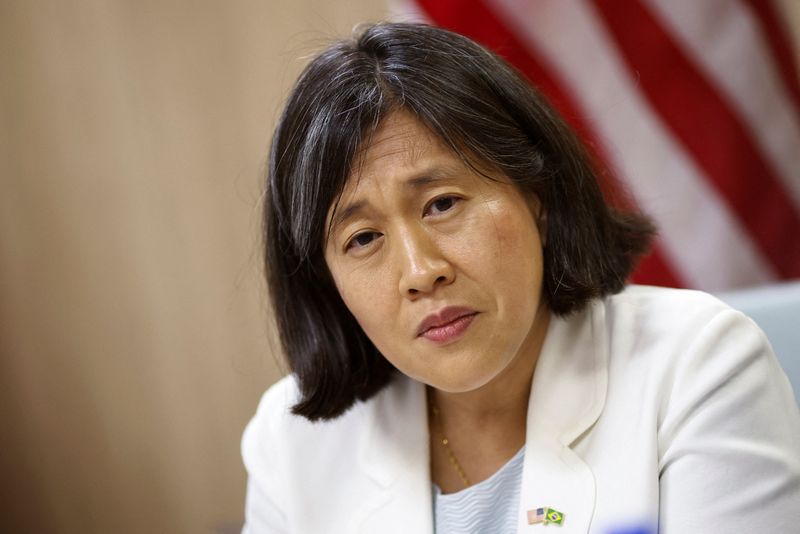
column 567, row 397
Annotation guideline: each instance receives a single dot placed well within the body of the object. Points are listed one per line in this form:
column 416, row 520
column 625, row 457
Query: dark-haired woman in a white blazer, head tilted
column 448, row 284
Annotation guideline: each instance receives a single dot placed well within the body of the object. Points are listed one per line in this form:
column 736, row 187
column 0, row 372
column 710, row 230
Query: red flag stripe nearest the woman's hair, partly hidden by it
column 474, row 19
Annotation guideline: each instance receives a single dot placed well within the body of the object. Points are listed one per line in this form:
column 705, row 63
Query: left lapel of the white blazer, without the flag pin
column 394, row 454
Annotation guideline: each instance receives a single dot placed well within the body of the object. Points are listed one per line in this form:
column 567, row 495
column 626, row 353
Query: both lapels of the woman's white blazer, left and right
column 567, row 397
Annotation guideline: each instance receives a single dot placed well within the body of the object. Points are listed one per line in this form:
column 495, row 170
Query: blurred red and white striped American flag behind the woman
column 695, row 105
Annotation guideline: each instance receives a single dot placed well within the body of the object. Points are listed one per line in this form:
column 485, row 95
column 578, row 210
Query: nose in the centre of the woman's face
column 423, row 265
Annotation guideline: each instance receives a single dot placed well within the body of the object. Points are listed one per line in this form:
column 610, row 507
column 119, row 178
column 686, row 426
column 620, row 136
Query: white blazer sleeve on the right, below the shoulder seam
column 729, row 436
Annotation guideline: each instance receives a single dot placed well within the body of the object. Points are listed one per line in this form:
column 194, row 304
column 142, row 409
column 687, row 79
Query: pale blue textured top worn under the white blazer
column 489, row 506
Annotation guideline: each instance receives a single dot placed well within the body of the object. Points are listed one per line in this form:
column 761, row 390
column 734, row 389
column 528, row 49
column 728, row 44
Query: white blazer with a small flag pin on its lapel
column 653, row 410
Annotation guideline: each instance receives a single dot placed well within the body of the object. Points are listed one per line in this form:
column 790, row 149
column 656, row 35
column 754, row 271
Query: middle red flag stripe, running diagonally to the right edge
column 709, row 130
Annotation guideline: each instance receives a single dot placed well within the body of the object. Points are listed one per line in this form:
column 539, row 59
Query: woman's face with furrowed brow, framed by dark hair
column 441, row 268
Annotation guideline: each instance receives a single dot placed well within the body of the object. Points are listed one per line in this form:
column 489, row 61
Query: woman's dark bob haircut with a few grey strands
column 484, row 111
